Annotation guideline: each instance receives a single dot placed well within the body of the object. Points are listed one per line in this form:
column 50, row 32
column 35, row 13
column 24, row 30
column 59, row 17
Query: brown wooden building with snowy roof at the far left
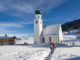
column 5, row 40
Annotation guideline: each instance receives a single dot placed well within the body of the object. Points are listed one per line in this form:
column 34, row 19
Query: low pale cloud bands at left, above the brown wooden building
column 4, row 27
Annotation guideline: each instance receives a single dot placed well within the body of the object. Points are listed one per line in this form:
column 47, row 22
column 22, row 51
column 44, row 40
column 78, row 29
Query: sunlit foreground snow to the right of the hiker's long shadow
column 66, row 53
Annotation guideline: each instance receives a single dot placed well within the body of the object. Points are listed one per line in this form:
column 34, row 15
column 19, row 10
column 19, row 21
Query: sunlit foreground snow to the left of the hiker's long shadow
column 22, row 53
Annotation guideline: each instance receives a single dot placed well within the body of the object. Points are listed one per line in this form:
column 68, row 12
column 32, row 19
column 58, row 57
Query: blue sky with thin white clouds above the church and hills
column 17, row 16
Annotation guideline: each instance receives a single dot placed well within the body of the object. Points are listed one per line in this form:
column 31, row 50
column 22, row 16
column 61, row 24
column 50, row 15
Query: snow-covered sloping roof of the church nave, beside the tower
column 51, row 29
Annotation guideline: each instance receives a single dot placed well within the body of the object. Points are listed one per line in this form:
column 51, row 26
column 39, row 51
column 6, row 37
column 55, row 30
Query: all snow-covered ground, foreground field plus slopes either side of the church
column 42, row 51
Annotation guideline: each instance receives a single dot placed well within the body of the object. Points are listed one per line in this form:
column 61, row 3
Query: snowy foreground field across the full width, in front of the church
column 36, row 52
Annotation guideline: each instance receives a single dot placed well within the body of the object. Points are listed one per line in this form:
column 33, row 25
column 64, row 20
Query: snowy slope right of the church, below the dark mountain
column 72, row 37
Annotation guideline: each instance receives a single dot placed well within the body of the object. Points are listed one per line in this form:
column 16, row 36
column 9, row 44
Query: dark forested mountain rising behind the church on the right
column 71, row 25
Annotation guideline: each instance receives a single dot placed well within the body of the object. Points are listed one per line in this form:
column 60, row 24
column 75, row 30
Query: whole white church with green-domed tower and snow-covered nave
column 46, row 34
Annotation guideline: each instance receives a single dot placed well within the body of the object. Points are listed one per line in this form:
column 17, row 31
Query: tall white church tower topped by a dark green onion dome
column 37, row 27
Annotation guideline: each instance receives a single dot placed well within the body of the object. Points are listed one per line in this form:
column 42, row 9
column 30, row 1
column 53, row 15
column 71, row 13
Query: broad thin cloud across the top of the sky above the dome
column 24, row 6
